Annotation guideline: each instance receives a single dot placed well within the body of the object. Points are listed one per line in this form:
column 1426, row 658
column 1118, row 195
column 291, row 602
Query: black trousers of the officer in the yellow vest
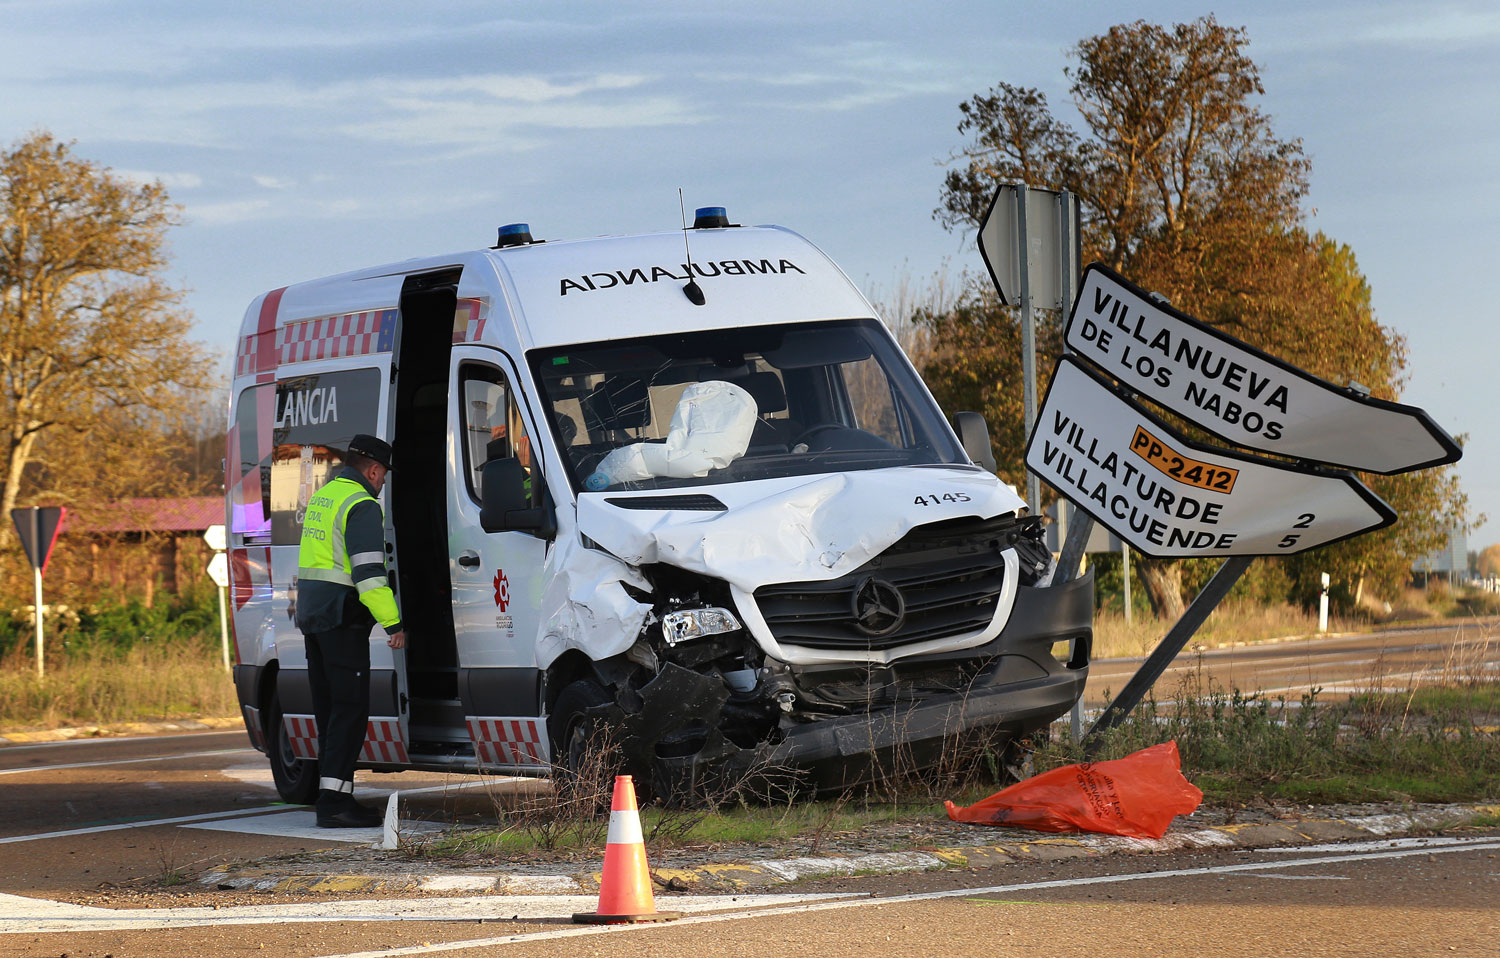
column 340, row 675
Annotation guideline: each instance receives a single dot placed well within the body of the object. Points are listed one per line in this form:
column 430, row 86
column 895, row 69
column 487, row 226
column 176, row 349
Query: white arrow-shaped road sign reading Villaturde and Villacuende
column 1174, row 498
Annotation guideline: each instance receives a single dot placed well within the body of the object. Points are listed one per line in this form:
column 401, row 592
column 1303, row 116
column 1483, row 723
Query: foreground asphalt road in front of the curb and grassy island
column 1405, row 897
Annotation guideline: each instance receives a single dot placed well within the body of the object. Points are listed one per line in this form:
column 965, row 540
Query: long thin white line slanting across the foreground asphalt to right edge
column 1477, row 845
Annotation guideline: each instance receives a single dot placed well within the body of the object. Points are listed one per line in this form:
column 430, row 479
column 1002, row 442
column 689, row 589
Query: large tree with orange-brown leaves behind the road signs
column 1184, row 188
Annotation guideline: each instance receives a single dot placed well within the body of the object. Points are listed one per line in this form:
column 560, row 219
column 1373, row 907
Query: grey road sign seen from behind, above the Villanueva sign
column 1043, row 227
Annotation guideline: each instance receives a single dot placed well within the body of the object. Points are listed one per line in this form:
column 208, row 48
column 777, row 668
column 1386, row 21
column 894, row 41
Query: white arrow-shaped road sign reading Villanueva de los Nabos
column 1241, row 394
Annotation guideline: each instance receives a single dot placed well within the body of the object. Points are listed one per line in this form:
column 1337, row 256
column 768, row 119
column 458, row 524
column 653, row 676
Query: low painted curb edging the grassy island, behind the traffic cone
column 740, row 876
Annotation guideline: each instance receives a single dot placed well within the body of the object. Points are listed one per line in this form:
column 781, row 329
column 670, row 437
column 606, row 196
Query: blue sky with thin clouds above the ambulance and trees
column 305, row 140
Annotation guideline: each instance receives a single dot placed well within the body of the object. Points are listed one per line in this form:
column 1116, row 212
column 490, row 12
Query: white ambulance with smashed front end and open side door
column 680, row 485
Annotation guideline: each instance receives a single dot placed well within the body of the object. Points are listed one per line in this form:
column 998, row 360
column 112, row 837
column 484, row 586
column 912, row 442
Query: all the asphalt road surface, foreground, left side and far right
column 112, row 824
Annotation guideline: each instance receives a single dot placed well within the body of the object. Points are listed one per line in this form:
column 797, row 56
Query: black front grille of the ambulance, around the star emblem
column 950, row 575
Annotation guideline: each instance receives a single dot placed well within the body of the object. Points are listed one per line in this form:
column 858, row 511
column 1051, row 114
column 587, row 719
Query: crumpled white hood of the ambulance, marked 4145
column 791, row 530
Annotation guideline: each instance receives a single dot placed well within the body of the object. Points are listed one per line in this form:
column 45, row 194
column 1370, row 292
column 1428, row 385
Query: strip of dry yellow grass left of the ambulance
column 103, row 686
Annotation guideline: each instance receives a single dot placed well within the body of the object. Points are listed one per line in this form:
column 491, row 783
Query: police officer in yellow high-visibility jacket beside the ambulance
column 341, row 593
